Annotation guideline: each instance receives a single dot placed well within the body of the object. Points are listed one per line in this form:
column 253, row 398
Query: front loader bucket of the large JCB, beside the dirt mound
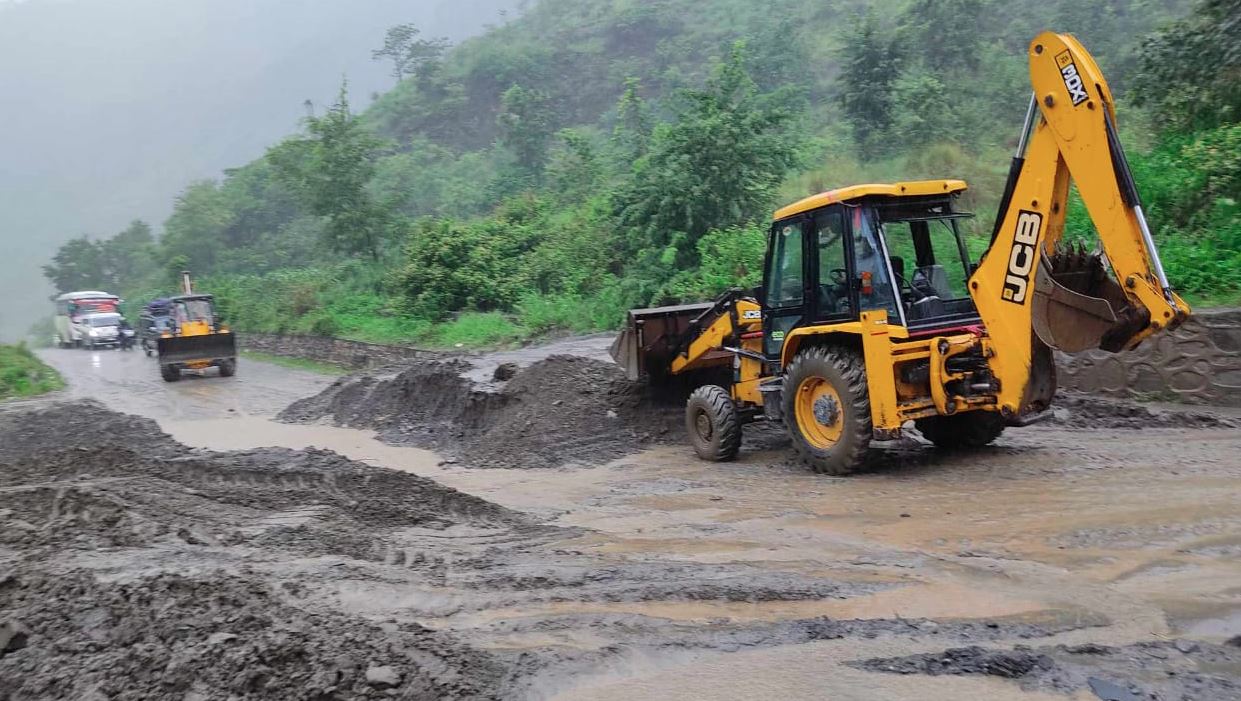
column 652, row 339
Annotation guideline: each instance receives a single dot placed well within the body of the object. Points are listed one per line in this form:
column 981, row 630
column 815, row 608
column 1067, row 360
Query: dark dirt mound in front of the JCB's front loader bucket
column 564, row 410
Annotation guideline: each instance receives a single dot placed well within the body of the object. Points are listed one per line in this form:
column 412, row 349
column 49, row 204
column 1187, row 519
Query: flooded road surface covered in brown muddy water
column 1093, row 537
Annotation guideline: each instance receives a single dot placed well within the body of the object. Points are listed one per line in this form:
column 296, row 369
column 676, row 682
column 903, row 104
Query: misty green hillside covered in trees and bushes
column 593, row 156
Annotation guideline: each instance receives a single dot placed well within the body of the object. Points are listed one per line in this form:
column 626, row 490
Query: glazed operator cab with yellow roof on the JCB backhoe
column 869, row 248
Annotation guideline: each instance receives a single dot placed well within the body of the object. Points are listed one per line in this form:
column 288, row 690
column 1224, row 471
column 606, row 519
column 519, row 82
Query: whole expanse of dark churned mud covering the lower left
column 114, row 565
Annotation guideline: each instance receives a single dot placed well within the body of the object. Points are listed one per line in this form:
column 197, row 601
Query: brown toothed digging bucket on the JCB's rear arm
column 1078, row 306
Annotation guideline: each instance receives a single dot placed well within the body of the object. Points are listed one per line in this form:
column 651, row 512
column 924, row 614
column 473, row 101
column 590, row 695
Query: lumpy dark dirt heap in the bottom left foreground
column 215, row 637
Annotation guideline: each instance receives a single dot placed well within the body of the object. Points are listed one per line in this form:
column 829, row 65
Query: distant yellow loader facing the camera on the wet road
column 197, row 339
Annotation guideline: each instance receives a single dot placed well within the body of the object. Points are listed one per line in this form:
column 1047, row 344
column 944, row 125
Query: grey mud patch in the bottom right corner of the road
column 1175, row 669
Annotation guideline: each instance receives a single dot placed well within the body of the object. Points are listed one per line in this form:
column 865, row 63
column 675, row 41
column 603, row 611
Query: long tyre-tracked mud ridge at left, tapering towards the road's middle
column 311, row 502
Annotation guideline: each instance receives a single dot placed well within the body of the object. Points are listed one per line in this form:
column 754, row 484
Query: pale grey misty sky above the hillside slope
column 111, row 107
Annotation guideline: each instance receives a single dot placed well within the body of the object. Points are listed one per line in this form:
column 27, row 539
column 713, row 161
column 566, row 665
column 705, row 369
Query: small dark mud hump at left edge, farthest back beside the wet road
column 84, row 424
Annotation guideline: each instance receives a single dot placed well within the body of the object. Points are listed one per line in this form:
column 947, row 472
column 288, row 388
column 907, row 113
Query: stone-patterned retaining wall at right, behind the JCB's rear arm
column 1199, row 363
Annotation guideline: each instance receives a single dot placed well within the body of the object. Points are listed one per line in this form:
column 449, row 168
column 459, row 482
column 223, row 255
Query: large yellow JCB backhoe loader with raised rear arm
column 873, row 315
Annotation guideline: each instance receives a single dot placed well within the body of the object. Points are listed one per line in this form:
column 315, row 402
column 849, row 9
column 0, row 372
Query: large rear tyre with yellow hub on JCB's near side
column 827, row 409
